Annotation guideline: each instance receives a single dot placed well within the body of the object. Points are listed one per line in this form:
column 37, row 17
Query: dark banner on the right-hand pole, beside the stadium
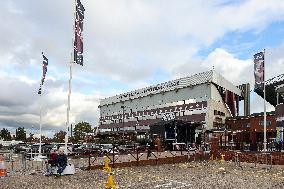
column 259, row 70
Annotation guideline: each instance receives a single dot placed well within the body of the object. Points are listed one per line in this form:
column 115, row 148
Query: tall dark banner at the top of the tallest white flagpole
column 78, row 39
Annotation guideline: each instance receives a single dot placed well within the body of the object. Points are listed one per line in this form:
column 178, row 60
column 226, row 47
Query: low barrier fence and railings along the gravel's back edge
column 135, row 157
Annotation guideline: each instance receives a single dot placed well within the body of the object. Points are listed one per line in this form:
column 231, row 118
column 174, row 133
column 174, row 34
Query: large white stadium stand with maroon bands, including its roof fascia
column 197, row 99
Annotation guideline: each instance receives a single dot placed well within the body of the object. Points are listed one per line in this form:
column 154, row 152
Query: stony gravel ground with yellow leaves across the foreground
column 186, row 175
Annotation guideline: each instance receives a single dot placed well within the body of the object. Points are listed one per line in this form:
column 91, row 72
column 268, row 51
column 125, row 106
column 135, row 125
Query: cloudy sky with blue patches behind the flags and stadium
column 128, row 44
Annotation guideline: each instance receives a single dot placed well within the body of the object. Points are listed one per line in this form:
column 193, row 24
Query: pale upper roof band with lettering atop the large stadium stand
column 197, row 79
